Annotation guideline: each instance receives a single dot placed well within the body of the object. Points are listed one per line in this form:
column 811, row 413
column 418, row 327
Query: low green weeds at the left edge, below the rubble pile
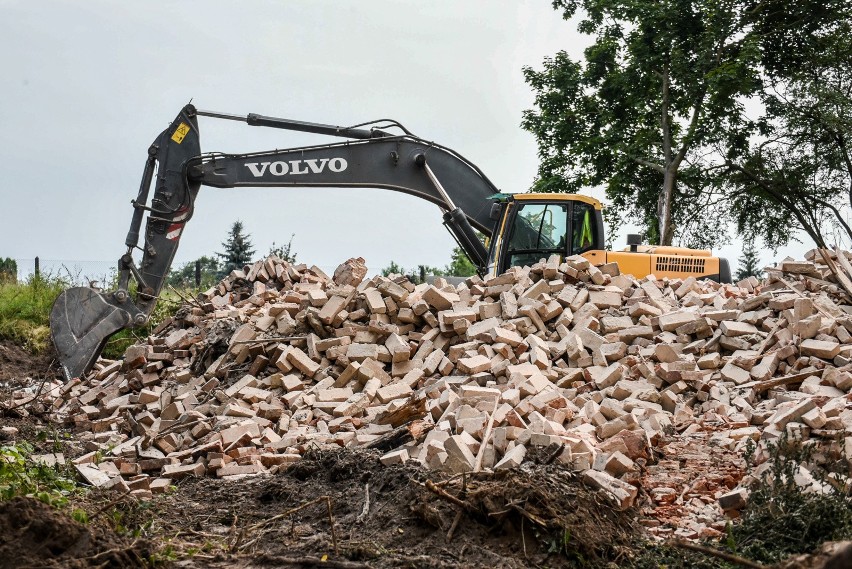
column 21, row 476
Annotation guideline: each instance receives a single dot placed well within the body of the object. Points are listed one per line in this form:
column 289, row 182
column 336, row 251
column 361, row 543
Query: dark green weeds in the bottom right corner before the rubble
column 781, row 519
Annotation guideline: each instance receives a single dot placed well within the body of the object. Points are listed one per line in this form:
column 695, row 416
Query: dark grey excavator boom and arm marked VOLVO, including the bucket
column 82, row 319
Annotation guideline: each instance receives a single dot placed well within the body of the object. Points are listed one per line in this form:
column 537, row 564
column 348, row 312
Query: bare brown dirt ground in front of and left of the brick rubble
column 332, row 509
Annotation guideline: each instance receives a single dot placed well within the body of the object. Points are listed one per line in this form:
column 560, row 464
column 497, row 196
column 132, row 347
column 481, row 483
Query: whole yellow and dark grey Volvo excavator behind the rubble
column 519, row 229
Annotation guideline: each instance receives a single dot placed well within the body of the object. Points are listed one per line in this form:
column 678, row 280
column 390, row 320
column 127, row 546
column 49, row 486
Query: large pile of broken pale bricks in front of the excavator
column 635, row 384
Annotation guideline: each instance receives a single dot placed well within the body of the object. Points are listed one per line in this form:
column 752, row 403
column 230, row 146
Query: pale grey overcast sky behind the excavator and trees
column 87, row 86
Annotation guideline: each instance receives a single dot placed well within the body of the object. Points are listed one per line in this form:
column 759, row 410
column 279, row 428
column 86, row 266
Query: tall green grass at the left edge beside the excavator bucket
column 25, row 311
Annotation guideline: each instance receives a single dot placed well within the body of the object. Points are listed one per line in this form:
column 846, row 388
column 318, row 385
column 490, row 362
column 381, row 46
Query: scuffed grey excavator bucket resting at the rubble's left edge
column 81, row 321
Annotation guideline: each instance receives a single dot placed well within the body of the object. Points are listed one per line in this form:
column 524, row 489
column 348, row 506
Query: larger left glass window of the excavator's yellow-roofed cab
column 539, row 230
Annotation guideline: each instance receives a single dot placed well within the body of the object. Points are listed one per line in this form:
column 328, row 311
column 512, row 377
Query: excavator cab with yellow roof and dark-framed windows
column 535, row 226
